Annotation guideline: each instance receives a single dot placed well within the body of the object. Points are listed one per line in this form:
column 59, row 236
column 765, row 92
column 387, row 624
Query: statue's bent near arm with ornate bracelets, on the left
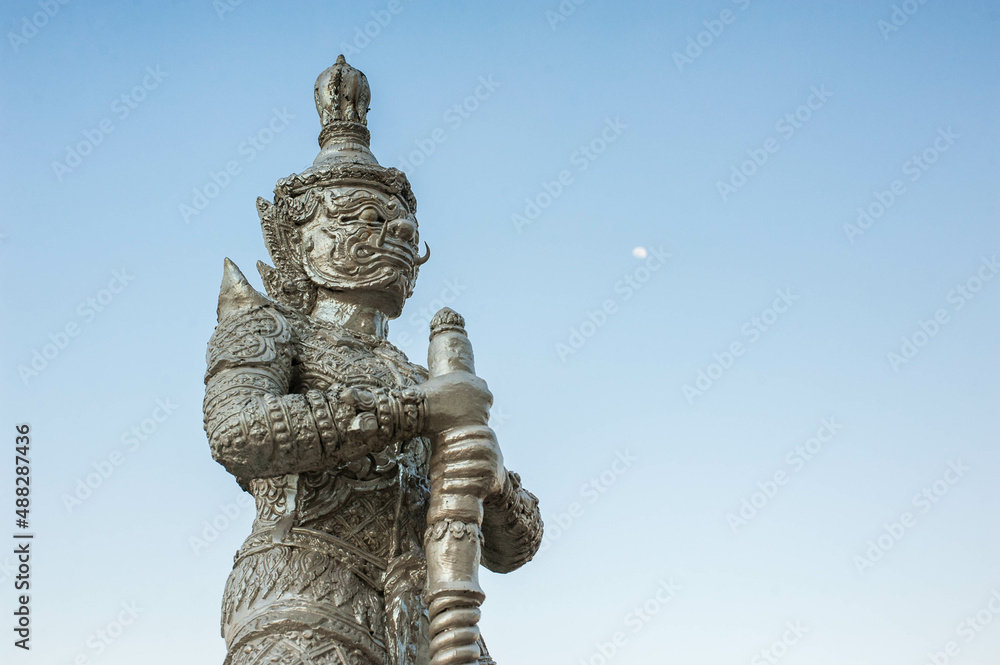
column 257, row 429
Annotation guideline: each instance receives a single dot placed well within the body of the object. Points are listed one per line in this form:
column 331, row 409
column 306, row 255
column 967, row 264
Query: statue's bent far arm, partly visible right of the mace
column 512, row 526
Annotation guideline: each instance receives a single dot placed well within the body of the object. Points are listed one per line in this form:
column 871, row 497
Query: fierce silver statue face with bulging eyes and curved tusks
column 363, row 244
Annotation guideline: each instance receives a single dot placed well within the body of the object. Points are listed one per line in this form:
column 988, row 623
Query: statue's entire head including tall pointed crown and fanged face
column 345, row 224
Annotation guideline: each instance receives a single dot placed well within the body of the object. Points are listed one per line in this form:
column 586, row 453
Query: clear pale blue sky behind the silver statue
column 728, row 268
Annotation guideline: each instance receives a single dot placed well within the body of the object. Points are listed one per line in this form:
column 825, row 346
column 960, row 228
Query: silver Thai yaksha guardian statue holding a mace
column 379, row 488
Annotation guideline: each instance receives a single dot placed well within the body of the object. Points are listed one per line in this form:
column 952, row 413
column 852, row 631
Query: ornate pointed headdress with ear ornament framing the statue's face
column 345, row 158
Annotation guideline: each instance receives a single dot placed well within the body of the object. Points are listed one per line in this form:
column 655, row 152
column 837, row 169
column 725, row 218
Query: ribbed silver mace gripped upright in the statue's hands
column 453, row 542
